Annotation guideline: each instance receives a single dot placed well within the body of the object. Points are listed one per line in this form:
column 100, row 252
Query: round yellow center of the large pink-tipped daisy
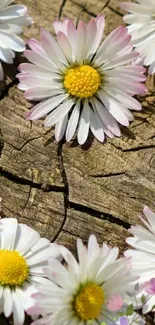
column 82, row 81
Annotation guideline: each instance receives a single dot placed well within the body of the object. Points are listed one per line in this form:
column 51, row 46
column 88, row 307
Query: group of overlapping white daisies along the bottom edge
column 45, row 280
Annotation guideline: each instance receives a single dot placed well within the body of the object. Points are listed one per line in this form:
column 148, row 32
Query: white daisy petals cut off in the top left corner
column 12, row 20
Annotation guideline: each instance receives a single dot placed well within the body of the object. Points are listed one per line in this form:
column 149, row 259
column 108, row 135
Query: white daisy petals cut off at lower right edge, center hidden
column 143, row 257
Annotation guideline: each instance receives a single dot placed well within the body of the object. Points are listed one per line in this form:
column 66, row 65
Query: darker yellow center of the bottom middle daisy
column 89, row 301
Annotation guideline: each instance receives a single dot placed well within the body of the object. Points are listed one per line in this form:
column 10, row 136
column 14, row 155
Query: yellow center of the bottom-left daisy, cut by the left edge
column 13, row 268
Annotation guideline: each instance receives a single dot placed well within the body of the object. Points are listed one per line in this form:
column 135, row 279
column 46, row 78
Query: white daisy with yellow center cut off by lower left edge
column 23, row 254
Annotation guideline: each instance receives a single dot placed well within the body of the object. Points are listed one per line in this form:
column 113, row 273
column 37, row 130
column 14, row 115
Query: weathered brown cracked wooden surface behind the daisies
column 64, row 190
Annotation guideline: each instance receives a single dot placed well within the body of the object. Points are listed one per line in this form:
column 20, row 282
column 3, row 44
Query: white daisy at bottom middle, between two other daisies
column 79, row 293
